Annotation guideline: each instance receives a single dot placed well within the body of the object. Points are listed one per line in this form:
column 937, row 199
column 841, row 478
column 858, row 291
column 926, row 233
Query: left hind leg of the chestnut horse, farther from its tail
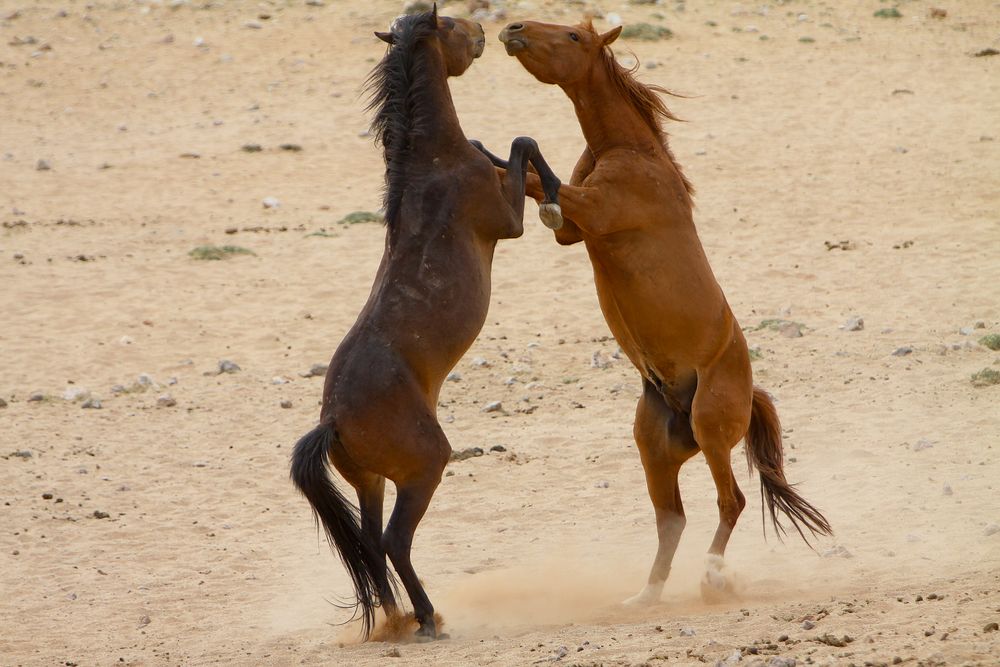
column 665, row 442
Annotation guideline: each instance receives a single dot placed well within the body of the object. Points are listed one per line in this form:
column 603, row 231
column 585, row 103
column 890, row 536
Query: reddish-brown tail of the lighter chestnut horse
column 763, row 447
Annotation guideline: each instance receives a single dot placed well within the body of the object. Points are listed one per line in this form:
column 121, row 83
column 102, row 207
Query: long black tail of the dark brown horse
column 341, row 525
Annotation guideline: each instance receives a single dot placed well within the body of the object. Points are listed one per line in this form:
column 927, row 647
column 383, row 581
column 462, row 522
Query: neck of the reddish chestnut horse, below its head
column 607, row 119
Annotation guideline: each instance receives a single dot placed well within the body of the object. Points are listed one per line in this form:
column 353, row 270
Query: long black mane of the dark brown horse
column 397, row 87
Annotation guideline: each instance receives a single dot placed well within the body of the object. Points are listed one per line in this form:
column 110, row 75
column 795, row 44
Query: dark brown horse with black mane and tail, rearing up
column 445, row 210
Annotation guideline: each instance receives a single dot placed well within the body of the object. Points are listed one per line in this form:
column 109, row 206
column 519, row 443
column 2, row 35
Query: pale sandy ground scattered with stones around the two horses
column 882, row 134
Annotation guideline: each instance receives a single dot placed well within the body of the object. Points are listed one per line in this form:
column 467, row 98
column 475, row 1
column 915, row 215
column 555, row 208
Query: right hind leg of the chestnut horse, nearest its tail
column 720, row 416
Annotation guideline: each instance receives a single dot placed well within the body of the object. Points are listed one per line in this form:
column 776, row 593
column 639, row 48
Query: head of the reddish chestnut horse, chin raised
column 559, row 54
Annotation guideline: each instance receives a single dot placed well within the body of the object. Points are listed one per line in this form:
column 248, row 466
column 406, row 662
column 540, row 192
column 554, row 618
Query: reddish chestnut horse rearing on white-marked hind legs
column 631, row 206
